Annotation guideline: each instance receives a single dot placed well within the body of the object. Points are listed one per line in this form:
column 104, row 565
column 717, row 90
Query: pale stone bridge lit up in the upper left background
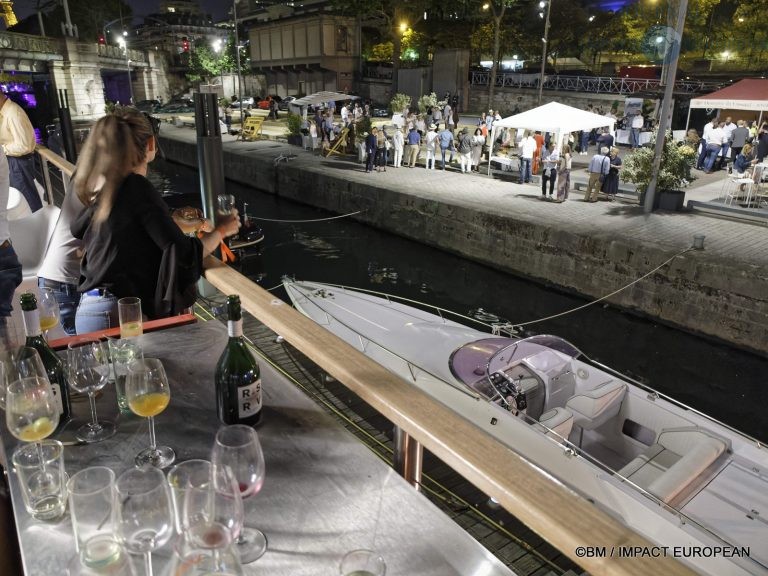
column 92, row 73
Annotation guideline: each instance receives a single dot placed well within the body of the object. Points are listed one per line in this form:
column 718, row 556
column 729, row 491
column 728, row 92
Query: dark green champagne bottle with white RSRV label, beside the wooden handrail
column 238, row 378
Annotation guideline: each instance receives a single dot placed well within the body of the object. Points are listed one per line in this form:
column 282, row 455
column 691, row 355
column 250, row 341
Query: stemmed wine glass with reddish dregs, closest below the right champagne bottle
column 237, row 447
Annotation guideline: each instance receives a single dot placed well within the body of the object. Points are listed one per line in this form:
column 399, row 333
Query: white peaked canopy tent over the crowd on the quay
column 552, row 117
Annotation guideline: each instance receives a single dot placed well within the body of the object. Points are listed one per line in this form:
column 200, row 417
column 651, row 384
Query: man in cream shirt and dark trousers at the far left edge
column 17, row 138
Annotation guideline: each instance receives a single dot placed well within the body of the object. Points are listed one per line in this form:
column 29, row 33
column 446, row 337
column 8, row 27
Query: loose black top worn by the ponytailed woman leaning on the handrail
column 124, row 253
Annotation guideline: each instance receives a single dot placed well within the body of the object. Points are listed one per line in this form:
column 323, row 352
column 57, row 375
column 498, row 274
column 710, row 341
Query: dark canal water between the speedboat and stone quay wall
column 714, row 378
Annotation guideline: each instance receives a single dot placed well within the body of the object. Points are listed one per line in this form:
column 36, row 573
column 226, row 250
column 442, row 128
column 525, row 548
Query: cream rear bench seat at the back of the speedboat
column 677, row 459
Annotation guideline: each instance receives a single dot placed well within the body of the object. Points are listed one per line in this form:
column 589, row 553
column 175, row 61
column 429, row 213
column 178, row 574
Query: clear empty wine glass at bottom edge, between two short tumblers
column 142, row 517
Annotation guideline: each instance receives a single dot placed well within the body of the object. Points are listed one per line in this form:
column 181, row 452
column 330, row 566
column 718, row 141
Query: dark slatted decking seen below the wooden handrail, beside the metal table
column 512, row 542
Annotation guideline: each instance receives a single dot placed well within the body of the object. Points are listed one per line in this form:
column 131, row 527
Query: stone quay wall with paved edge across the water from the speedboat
column 593, row 249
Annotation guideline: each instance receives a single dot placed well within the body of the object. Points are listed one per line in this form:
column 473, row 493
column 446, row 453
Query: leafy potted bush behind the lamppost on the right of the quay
column 677, row 159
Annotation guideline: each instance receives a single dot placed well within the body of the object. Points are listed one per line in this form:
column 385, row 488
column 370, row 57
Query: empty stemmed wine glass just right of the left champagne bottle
column 88, row 371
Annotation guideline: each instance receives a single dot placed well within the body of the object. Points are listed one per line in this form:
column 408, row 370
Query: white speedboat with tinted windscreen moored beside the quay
column 678, row 477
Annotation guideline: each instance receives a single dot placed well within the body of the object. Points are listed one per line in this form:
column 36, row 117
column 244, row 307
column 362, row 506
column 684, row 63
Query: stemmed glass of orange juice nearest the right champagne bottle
column 148, row 394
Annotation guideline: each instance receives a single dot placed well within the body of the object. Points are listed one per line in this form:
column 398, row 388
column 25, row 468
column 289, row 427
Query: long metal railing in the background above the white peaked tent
column 596, row 84
